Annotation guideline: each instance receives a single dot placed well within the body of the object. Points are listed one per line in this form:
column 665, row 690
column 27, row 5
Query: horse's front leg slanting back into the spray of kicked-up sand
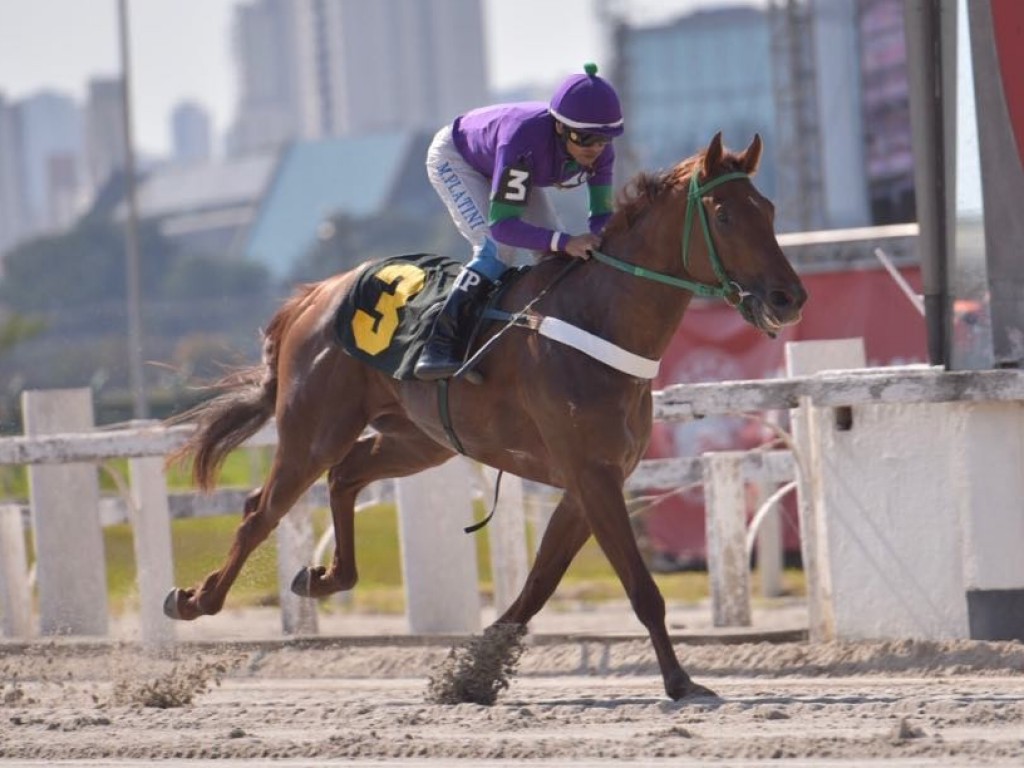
column 566, row 535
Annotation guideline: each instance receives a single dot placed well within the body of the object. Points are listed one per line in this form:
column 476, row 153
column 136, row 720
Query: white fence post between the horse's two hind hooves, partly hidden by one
column 295, row 548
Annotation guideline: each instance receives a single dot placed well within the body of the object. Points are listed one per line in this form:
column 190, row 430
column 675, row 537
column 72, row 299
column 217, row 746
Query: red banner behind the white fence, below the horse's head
column 715, row 345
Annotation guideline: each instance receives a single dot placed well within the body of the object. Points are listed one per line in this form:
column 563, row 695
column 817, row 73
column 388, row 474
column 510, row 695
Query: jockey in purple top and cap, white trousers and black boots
column 490, row 167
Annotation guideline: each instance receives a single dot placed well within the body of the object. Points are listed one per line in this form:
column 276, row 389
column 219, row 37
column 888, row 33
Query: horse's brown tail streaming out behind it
column 245, row 405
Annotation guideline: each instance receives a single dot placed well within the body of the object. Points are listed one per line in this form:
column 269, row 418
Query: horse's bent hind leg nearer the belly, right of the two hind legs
column 400, row 450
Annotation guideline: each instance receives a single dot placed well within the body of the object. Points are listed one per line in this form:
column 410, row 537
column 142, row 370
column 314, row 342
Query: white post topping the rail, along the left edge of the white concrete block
column 807, row 359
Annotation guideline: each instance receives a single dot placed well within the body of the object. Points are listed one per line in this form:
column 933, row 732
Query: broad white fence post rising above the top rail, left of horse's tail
column 71, row 569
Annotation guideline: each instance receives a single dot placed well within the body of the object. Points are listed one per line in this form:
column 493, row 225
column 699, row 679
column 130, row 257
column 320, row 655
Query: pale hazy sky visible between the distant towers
column 182, row 50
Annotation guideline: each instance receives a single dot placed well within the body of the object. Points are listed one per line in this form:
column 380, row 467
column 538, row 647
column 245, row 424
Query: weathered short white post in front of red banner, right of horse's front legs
column 726, row 511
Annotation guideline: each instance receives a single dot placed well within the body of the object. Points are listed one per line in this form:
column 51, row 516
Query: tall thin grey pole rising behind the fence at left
column 141, row 408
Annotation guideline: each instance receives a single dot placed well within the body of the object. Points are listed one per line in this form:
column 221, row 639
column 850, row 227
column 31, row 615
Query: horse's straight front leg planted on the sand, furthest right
column 605, row 506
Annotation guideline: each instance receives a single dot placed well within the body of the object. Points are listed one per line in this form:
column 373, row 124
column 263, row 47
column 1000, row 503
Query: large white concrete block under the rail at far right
column 915, row 508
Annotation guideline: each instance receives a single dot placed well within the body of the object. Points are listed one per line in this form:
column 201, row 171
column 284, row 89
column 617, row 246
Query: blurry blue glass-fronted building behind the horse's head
column 790, row 72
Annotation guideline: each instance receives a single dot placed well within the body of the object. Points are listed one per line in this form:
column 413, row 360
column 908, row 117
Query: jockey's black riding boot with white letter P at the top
column 446, row 350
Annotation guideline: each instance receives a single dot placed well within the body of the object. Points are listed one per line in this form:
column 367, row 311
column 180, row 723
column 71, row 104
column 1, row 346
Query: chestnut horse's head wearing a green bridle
column 730, row 240
